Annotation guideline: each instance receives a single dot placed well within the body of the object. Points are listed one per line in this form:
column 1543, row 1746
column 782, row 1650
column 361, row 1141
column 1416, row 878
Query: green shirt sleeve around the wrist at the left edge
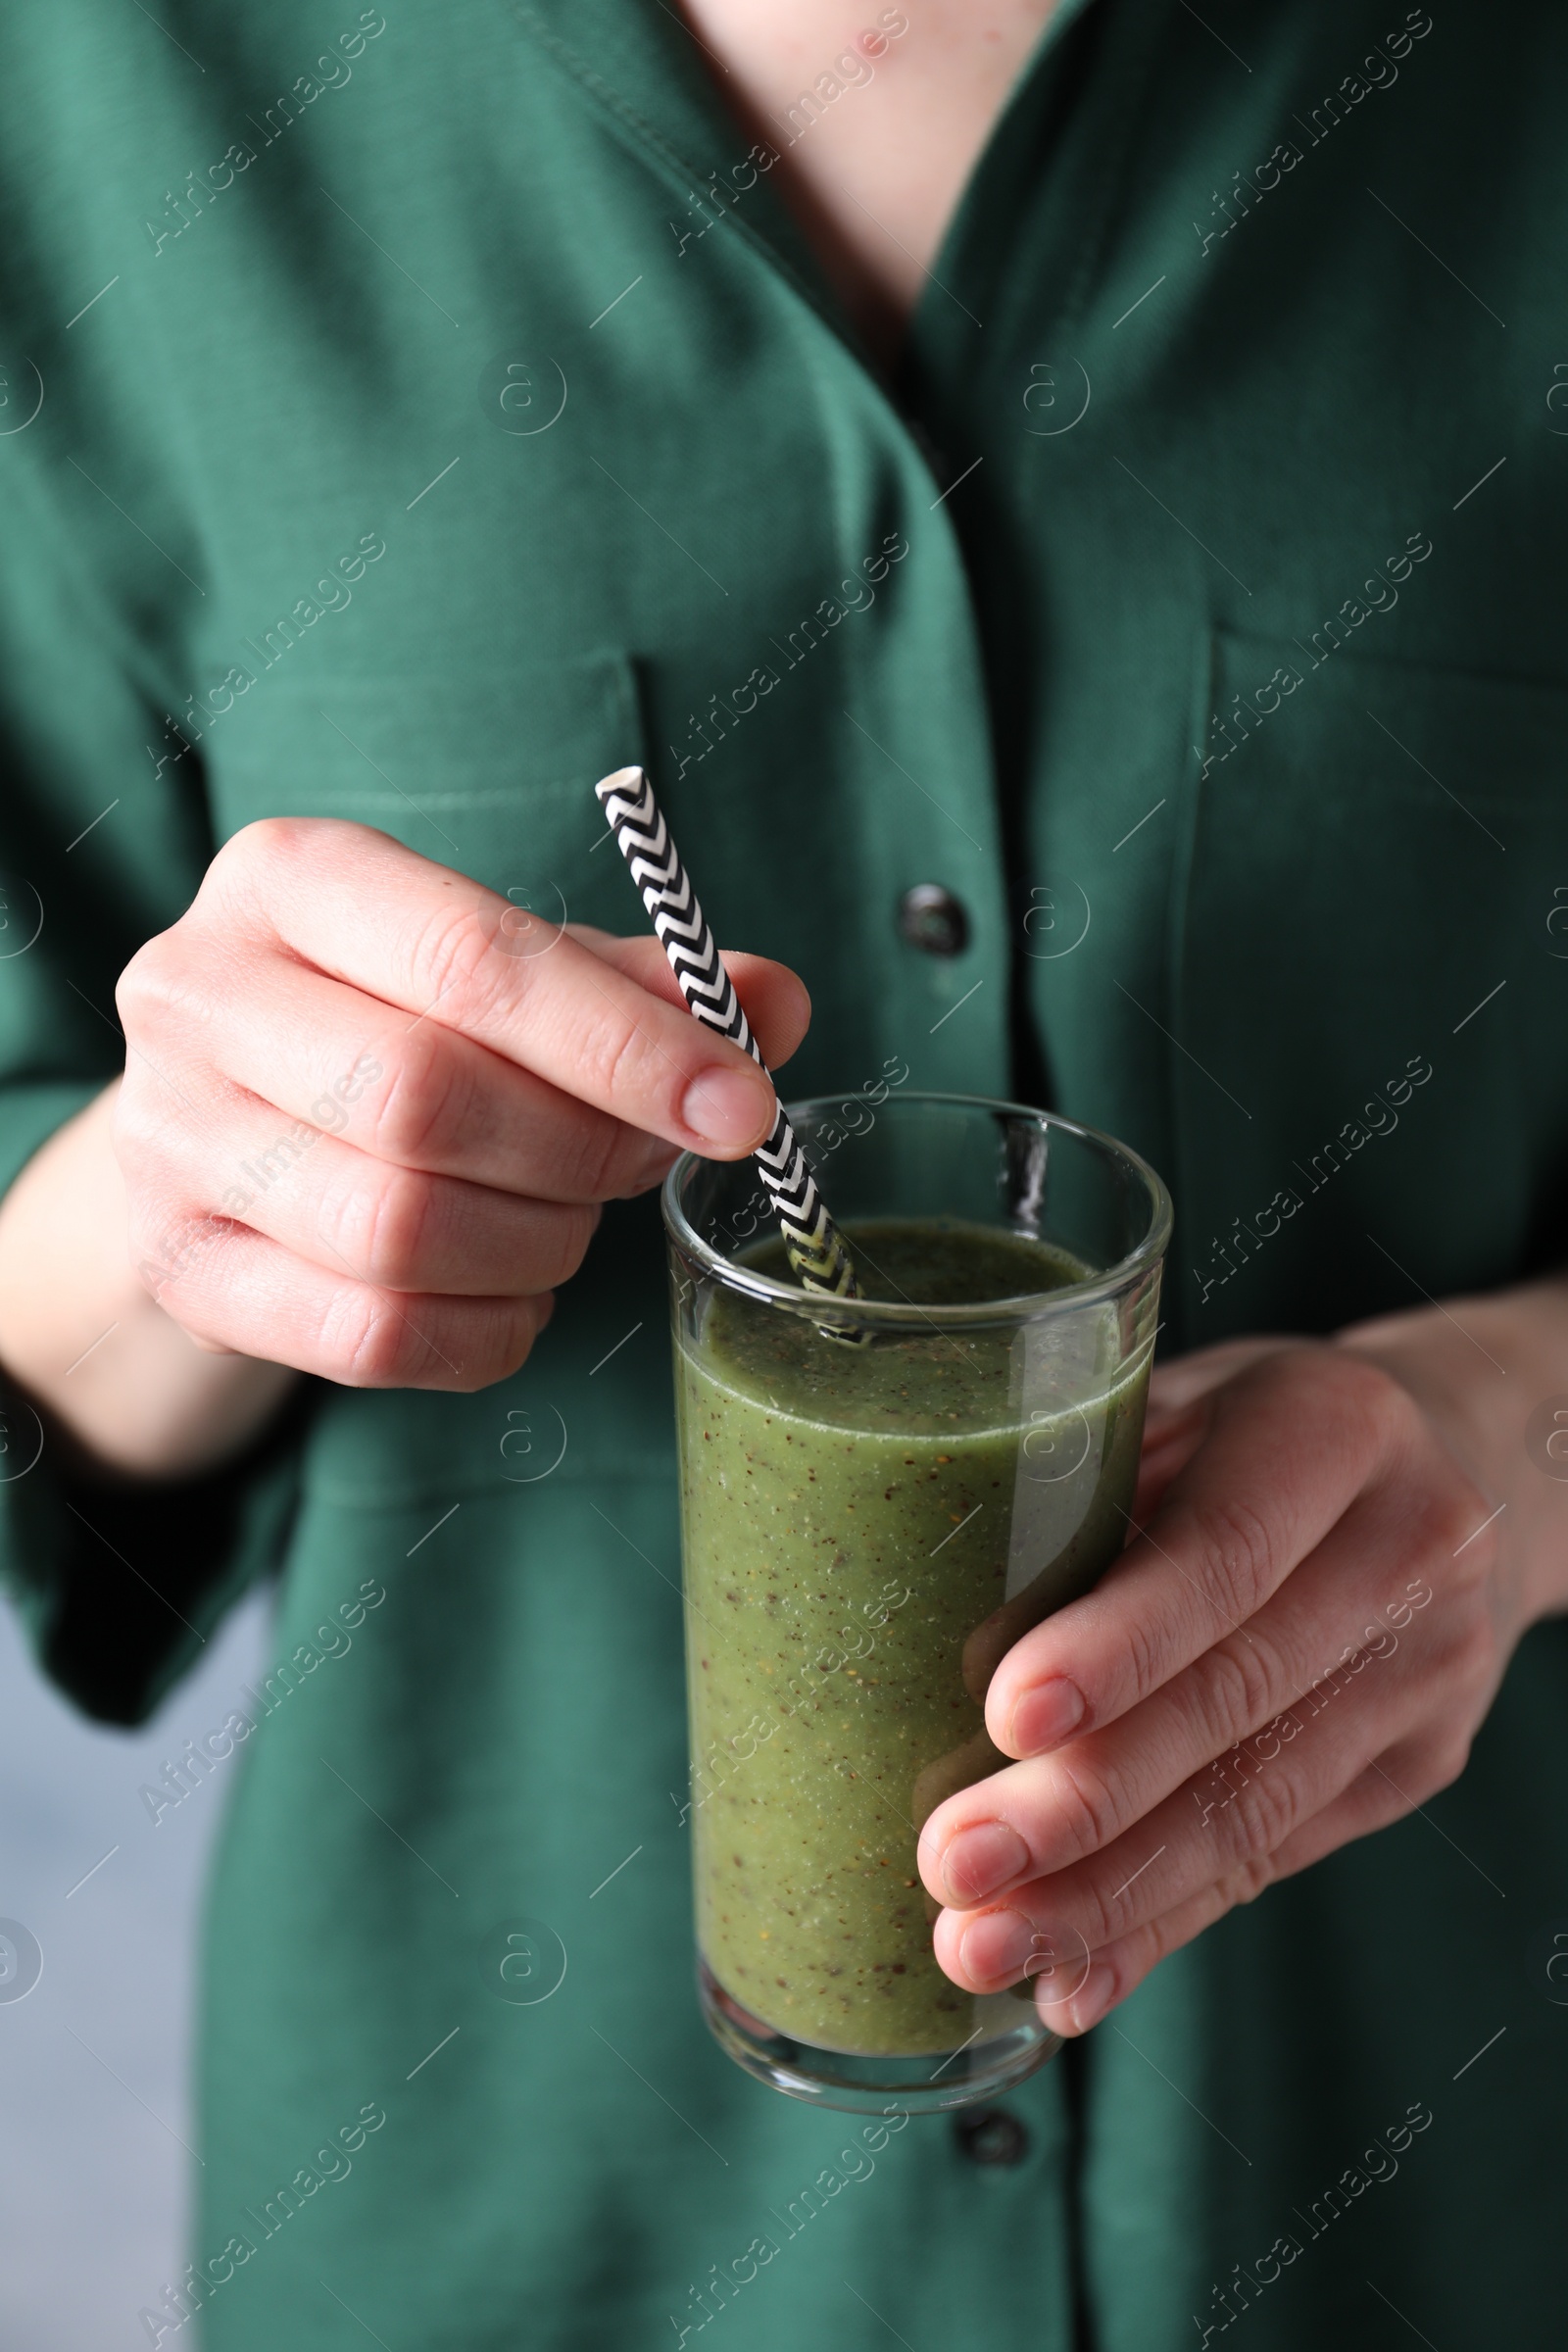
column 105, row 838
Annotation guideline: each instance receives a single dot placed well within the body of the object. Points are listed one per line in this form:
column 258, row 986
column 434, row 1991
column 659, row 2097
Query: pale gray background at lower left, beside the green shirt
column 95, row 2064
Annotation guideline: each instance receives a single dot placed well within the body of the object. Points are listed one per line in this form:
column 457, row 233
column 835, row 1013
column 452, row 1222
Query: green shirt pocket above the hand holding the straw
column 485, row 770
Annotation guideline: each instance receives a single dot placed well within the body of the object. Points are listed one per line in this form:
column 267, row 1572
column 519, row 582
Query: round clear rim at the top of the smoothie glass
column 902, row 1316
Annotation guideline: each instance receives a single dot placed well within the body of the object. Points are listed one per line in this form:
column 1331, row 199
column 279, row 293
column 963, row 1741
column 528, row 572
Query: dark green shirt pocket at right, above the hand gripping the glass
column 1369, row 980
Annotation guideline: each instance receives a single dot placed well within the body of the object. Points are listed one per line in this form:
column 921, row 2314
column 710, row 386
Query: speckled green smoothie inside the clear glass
column 866, row 1532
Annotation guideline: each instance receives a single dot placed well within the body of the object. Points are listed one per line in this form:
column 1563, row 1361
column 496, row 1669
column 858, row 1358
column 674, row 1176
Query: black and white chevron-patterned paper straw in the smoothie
column 815, row 1243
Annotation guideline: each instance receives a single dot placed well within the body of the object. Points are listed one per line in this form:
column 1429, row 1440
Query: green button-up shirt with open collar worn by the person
column 410, row 417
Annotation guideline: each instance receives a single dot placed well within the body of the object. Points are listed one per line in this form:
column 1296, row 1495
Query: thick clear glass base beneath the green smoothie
column 1012, row 2043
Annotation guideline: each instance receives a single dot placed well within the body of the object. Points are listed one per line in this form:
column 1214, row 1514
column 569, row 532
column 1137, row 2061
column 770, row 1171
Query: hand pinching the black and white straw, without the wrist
column 370, row 1111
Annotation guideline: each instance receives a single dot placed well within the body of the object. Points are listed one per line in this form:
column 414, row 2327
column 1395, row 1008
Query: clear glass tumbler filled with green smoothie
column 866, row 1530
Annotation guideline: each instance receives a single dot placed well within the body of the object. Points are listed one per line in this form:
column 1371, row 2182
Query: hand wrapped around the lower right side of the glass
column 1294, row 1650
